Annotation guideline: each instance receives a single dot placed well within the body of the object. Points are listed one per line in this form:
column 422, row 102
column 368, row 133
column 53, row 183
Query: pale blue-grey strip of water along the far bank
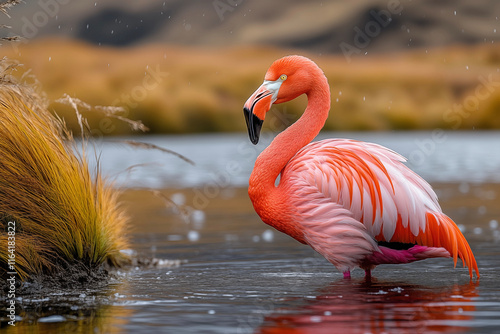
column 227, row 160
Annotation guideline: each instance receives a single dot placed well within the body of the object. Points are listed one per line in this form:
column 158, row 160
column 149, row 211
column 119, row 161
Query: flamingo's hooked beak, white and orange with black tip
column 256, row 107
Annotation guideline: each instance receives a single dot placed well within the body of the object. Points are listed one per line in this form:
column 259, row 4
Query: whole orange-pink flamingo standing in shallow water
column 355, row 203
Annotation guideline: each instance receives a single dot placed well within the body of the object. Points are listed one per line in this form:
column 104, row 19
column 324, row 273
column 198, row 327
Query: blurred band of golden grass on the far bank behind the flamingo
column 203, row 89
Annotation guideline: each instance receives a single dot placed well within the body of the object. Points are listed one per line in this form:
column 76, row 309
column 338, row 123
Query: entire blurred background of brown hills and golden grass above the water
column 188, row 66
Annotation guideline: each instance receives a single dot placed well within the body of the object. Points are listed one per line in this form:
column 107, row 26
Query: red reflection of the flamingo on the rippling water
column 371, row 306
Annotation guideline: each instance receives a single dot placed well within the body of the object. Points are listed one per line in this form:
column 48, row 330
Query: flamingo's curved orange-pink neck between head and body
column 274, row 158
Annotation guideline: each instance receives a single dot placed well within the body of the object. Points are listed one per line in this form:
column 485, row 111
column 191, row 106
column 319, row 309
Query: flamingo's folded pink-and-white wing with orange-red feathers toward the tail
column 369, row 184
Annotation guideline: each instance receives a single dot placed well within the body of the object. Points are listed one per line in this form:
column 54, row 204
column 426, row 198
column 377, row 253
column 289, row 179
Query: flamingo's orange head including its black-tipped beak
column 286, row 79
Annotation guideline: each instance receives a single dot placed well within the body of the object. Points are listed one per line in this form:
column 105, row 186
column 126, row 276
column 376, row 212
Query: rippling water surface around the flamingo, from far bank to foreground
column 240, row 276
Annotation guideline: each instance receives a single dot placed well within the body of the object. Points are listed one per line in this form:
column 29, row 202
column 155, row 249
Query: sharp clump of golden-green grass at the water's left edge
column 64, row 214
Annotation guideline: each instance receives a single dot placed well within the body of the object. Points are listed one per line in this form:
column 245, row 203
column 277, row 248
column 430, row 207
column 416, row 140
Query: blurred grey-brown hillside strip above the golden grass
column 316, row 26
